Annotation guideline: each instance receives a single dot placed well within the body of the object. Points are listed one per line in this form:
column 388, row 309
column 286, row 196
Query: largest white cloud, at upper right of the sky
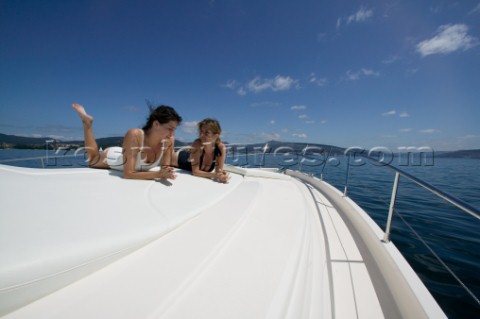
column 449, row 38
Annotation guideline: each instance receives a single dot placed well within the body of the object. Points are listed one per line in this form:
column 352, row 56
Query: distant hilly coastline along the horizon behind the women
column 21, row 142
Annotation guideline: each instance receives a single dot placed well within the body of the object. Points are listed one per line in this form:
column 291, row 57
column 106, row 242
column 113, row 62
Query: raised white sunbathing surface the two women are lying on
column 59, row 225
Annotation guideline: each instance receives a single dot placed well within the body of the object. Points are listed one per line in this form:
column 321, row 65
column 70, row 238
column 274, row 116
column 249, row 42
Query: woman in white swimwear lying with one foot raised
column 142, row 149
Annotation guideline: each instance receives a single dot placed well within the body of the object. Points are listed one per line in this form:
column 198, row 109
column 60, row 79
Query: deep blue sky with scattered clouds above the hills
column 385, row 73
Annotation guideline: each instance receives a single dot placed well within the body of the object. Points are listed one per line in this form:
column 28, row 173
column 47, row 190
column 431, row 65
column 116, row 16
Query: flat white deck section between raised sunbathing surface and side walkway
column 255, row 253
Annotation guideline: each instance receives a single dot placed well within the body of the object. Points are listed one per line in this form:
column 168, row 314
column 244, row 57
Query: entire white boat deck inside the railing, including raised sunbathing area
column 84, row 243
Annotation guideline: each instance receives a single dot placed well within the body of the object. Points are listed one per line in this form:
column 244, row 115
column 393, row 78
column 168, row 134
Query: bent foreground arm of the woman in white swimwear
column 131, row 148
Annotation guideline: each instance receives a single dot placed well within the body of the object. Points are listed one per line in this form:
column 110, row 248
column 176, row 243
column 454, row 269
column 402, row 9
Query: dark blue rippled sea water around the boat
column 419, row 215
